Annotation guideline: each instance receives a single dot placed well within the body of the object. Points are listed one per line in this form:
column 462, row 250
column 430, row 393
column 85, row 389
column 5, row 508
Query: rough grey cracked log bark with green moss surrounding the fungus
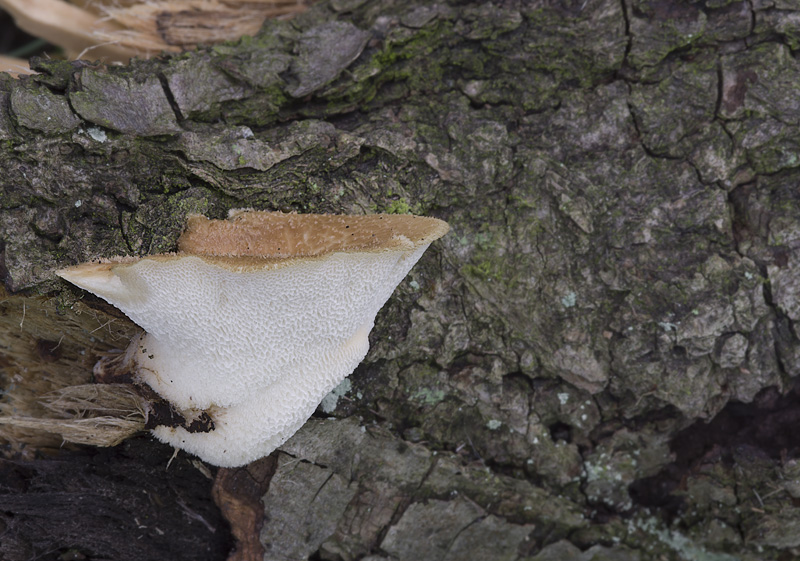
column 621, row 178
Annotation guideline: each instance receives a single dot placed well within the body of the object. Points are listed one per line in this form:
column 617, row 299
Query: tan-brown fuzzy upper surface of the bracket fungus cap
column 275, row 235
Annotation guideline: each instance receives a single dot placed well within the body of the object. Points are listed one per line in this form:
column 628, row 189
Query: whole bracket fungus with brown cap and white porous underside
column 255, row 319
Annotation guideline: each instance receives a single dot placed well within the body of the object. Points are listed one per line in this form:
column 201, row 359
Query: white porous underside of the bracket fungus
column 260, row 349
